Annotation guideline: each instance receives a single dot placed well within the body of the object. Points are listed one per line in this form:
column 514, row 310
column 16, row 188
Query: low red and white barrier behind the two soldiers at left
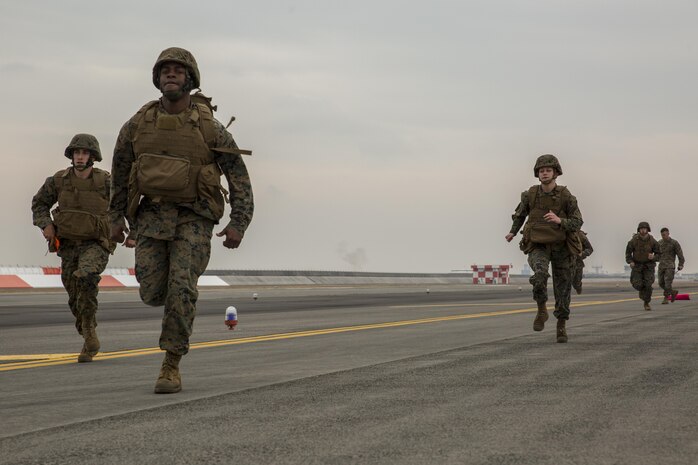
column 50, row 277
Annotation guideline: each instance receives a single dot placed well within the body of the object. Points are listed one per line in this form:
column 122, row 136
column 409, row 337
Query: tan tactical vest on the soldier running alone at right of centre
column 537, row 229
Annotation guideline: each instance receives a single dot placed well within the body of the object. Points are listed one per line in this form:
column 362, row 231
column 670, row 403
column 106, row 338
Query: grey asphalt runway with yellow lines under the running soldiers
column 336, row 375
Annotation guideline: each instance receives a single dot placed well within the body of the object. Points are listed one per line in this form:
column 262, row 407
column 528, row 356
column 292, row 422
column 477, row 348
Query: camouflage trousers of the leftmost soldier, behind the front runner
column 82, row 263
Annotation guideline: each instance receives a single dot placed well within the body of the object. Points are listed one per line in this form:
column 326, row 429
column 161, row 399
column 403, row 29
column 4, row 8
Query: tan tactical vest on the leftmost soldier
column 82, row 205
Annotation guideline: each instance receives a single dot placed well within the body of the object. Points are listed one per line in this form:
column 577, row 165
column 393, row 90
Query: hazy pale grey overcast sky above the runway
column 387, row 135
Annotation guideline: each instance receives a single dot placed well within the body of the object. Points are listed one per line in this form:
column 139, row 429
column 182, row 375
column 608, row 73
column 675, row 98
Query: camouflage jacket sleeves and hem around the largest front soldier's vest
column 158, row 220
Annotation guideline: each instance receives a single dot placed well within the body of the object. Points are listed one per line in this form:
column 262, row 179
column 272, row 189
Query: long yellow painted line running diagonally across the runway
column 43, row 360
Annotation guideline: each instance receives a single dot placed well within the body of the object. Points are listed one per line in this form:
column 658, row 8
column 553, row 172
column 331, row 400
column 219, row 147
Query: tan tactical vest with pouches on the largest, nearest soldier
column 175, row 159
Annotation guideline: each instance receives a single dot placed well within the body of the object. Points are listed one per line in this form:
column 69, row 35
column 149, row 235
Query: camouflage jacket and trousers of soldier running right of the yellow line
column 540, row 256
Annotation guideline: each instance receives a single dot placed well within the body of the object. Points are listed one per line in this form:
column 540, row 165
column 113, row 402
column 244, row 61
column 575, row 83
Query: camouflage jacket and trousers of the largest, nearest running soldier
column 174, row 239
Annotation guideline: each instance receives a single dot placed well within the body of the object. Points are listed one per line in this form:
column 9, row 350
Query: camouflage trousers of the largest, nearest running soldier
column 168, row 272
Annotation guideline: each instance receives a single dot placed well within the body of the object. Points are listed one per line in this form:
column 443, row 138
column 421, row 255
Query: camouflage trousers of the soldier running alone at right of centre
column 539, row 260
